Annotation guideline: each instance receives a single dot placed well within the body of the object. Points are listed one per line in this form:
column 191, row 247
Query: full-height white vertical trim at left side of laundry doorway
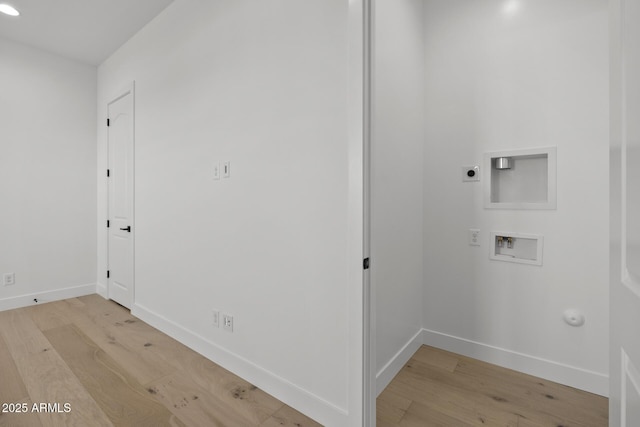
column 360, row 377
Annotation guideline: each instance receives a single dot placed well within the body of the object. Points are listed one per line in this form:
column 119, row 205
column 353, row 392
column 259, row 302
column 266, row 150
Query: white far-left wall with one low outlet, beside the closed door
column 47, row 175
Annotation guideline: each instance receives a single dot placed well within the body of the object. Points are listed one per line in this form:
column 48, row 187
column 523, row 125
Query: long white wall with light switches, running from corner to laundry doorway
column 263, row 85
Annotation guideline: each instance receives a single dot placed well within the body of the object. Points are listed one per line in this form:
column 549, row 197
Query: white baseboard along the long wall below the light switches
column 309, row 404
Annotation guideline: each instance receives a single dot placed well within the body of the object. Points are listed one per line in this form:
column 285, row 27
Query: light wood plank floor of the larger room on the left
column 115, row 370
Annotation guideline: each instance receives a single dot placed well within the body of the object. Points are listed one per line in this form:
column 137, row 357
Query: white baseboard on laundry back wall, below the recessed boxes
column 594, row 382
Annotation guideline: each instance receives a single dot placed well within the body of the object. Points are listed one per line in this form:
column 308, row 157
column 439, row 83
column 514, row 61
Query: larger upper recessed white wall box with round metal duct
column 521, row 179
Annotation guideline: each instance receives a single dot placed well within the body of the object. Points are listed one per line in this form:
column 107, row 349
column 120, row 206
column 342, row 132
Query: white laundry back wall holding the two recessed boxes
column 508, row 75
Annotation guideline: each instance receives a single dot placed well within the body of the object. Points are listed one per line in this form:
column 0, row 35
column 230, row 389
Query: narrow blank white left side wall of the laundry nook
column 396, row 183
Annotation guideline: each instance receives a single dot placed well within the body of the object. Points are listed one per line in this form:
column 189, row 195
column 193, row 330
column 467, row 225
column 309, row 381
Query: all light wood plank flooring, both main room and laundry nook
column 115, row 370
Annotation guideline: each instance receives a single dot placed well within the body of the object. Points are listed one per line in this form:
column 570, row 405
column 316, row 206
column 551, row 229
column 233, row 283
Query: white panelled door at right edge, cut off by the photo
column 625, row 214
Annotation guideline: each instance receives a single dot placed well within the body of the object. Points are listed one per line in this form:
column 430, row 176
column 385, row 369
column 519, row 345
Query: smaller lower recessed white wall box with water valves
column 516, row 247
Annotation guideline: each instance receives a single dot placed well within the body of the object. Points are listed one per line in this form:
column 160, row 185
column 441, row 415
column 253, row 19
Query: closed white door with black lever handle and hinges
column 120, row 131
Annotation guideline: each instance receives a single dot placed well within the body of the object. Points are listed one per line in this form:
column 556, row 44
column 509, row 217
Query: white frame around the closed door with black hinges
column 126, row 90
